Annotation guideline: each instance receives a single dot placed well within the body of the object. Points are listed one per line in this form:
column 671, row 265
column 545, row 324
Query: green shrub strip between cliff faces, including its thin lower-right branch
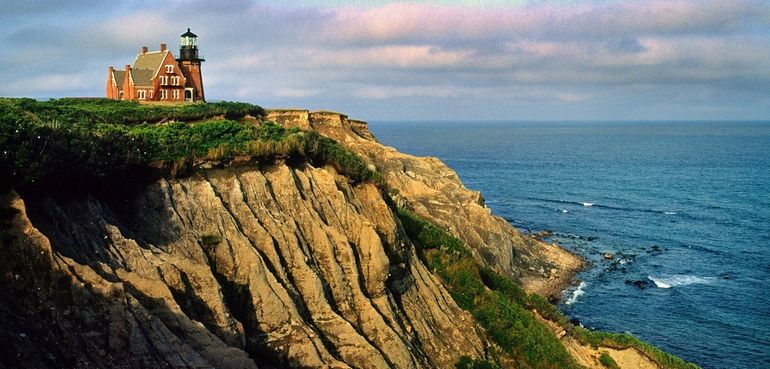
column 505, row 310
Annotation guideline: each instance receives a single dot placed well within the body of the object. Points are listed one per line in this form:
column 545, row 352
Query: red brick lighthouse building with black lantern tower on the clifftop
column 157, row 76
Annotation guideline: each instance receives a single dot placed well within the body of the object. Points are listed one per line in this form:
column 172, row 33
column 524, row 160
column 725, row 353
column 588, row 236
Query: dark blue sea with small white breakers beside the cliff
column 683, row 207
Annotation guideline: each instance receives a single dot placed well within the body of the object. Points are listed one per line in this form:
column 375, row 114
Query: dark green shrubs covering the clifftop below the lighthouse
column 71, row 143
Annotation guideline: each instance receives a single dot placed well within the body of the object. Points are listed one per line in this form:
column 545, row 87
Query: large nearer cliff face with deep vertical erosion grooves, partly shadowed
column 237, row 268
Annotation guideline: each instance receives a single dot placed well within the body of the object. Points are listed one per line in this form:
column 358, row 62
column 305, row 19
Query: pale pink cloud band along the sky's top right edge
column 400, row 22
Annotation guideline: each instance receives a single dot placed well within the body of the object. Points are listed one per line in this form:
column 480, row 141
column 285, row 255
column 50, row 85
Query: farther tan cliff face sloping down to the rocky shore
column 434, row 191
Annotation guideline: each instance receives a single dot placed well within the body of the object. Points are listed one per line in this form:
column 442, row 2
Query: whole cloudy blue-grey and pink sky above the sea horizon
column 437, row 60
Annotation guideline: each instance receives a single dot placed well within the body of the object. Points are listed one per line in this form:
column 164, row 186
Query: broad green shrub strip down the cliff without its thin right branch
column 498, row 304
